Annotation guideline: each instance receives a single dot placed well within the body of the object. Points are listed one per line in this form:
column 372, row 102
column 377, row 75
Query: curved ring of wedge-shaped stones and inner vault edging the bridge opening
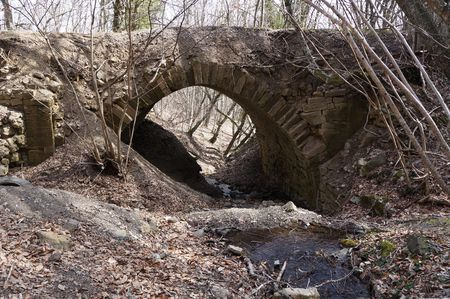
column 291, row 149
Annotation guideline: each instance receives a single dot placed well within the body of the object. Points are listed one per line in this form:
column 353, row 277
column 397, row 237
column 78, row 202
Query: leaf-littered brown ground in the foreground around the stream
column 150, row 237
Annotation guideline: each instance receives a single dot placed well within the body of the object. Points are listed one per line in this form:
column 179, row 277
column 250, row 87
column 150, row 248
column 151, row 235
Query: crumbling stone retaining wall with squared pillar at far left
column 31, row 118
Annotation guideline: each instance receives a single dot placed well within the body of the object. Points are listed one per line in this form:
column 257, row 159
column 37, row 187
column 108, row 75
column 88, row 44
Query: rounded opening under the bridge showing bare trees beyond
column 206, row 140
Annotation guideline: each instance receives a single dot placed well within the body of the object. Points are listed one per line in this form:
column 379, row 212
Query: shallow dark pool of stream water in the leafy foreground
column 312, row 258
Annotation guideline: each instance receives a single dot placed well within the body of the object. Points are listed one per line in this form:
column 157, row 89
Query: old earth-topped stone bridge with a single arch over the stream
column 303, row 113
